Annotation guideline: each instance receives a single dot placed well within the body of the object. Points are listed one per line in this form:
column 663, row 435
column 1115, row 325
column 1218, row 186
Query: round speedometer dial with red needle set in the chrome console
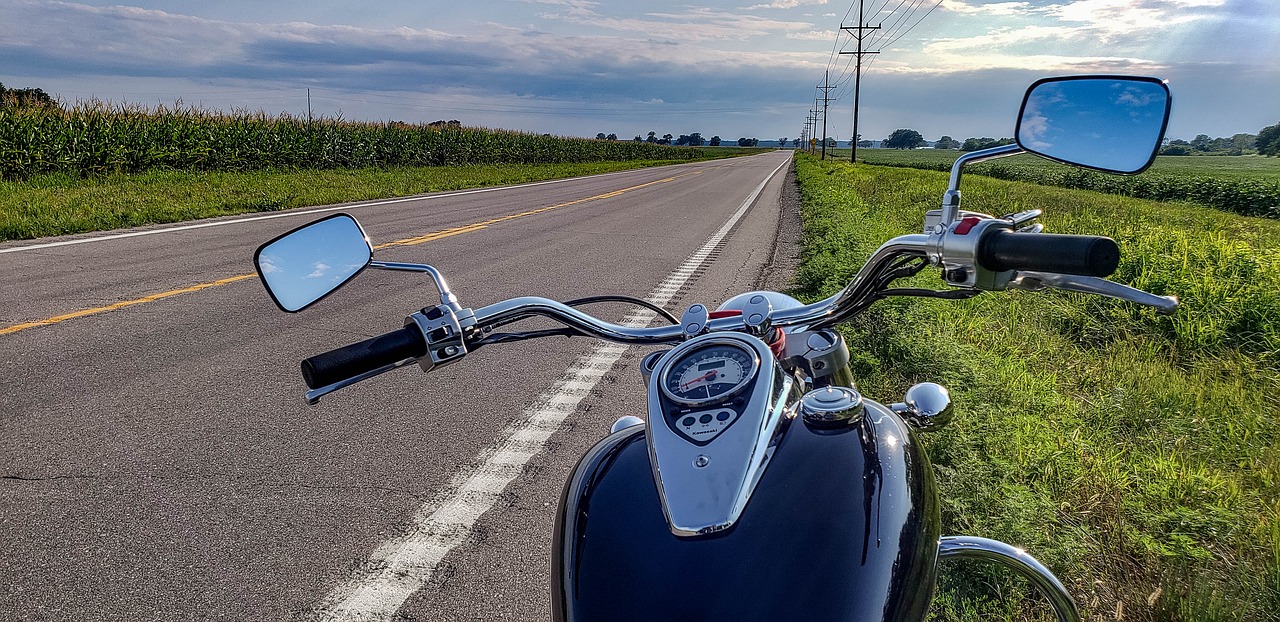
column 710, row 374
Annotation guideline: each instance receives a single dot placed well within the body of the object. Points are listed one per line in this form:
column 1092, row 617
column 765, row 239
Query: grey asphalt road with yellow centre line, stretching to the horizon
column 158, row 460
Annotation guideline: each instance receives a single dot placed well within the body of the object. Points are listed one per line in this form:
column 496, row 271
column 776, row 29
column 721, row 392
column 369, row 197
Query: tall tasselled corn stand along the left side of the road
column 97, row 139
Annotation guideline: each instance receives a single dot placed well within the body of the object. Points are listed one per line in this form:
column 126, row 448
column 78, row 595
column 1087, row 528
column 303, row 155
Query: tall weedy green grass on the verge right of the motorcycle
column 1133, row 454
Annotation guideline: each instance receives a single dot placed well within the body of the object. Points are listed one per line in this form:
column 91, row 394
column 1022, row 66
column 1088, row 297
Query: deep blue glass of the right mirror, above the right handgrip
column 1107, row 124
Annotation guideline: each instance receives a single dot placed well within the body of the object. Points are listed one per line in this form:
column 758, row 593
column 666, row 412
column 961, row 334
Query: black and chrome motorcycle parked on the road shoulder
column 764, row 486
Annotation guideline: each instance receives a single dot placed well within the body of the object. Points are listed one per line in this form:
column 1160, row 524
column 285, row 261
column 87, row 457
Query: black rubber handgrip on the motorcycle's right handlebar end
column 1049, row 253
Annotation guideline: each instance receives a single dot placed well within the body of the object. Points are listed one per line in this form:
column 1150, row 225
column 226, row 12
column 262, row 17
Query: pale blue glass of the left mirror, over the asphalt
column 307, row 264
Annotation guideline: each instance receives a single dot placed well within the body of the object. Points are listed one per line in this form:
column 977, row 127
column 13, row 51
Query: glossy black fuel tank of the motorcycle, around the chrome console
column 843, row 527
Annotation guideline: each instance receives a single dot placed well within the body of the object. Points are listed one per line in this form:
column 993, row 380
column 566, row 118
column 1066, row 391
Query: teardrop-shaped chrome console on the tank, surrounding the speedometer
column 705, row 490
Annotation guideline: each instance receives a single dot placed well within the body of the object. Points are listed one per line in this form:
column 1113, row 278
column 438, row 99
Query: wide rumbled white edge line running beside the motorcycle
column 401, row 566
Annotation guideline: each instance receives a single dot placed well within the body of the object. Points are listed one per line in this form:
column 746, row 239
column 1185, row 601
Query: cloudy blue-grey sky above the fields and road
column 729, row 68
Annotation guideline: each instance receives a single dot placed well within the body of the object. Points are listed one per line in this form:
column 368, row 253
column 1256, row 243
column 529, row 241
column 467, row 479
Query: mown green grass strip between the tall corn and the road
column 54, row 205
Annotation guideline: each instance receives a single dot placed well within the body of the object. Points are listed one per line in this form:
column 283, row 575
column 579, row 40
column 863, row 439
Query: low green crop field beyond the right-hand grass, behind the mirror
column 1245, row 185
